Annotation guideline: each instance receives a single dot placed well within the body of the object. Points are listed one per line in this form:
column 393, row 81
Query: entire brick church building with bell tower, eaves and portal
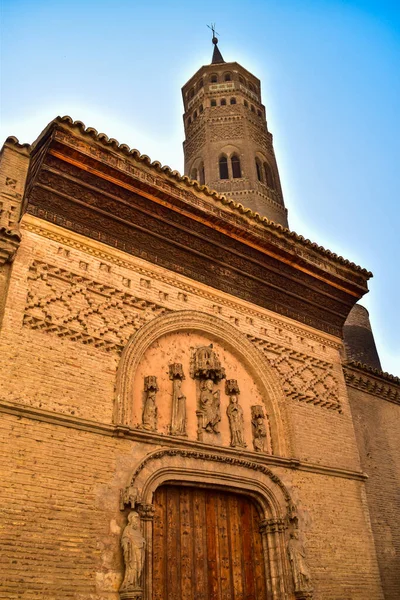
column 181, row 416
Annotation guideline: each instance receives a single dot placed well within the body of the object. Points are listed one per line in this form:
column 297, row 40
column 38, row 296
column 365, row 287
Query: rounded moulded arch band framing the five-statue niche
column 227, row 335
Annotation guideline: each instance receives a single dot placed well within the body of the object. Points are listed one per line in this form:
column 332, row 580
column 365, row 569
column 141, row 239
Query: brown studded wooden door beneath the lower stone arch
column 206, row 546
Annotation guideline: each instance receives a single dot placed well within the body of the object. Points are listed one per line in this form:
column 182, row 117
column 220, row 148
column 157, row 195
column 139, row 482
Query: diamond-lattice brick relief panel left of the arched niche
column 78, row 308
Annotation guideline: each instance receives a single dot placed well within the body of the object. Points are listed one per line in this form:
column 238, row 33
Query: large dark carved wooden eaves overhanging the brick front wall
column 89, row 184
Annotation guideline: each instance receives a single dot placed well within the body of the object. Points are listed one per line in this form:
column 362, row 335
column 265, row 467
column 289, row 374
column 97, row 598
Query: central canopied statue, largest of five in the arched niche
column 207, row 370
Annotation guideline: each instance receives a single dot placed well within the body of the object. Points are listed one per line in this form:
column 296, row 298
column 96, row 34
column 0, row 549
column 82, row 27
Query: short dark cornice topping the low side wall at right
column 378, row 383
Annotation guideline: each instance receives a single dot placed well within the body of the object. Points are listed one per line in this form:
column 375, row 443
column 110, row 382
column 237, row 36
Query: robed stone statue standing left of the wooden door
column 133, row 547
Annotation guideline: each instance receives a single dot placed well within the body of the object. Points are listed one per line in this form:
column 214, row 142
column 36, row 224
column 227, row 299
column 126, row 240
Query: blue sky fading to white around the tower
column 330, row 73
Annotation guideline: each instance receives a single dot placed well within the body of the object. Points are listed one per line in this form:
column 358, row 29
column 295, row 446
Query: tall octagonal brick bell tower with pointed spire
column 228, row 146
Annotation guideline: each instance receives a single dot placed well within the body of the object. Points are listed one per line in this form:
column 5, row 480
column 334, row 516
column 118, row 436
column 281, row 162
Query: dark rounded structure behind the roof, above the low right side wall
column 358, row 338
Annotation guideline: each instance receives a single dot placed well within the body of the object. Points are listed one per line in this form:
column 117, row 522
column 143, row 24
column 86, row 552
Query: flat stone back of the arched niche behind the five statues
column 178, row 348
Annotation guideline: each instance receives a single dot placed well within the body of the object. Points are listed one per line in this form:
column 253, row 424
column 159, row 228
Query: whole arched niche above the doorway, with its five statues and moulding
column 192, row 375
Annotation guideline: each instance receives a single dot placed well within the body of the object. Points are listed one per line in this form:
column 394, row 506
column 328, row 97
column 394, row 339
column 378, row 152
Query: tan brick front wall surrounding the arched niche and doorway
column 70, row 311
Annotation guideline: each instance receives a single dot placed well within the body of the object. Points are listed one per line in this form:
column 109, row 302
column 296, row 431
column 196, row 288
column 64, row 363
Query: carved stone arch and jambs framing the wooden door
column 195, row 468
